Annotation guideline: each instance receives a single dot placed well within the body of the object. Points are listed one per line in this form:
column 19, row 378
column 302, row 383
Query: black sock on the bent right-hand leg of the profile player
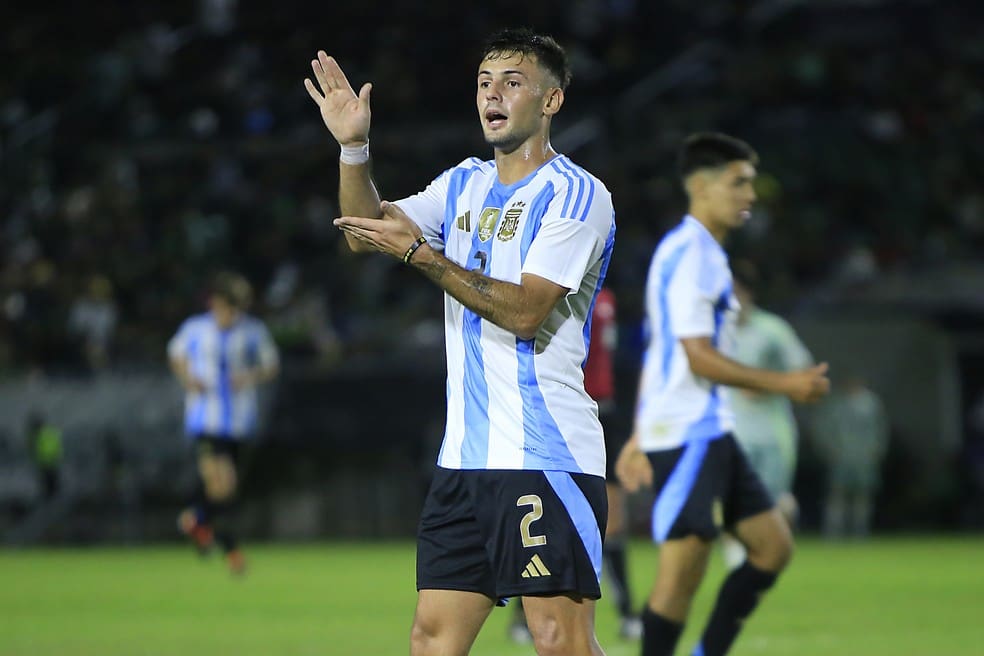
column 738, row 597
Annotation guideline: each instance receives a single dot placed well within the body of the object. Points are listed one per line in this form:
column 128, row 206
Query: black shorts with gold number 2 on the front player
column 510, row 533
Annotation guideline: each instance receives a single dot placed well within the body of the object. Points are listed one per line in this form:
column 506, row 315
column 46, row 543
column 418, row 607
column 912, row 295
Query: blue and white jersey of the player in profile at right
column 688, row 294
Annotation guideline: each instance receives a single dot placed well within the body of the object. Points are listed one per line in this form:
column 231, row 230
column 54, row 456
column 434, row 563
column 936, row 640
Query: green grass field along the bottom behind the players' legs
column 900, row 596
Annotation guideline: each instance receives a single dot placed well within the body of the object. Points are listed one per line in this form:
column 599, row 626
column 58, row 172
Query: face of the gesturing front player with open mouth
column 515, row 97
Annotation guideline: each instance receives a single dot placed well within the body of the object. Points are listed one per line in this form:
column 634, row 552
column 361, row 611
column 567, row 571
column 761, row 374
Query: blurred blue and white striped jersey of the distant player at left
column 214, row 357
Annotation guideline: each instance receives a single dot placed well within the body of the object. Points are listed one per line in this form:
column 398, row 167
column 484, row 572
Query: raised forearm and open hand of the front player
column 347, row 117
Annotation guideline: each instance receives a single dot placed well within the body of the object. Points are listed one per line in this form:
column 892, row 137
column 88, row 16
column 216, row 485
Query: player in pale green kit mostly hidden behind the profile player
column 764, row 423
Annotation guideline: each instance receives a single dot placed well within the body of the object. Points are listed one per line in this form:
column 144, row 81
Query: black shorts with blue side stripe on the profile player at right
column 704, row 486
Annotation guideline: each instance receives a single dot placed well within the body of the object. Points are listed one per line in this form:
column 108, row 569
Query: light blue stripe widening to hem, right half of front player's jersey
column 544, row 445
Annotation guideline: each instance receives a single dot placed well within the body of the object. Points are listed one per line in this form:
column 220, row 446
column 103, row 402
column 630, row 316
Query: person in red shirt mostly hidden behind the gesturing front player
column 599, row 382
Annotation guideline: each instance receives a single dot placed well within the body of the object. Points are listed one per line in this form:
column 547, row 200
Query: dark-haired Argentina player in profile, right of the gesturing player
column 682, row 442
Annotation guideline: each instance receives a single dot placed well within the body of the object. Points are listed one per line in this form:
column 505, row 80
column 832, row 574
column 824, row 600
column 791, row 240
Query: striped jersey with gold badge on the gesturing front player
column 515, row 403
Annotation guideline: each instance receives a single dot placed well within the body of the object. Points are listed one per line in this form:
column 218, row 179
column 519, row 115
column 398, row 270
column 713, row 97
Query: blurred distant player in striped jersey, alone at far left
column 220, row 357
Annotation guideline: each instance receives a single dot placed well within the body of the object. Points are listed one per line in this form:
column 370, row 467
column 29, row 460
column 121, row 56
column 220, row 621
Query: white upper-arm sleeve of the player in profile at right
column 690, row 295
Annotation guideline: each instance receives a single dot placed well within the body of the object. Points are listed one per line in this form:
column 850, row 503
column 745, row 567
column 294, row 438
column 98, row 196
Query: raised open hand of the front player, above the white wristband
column 345, row 114
